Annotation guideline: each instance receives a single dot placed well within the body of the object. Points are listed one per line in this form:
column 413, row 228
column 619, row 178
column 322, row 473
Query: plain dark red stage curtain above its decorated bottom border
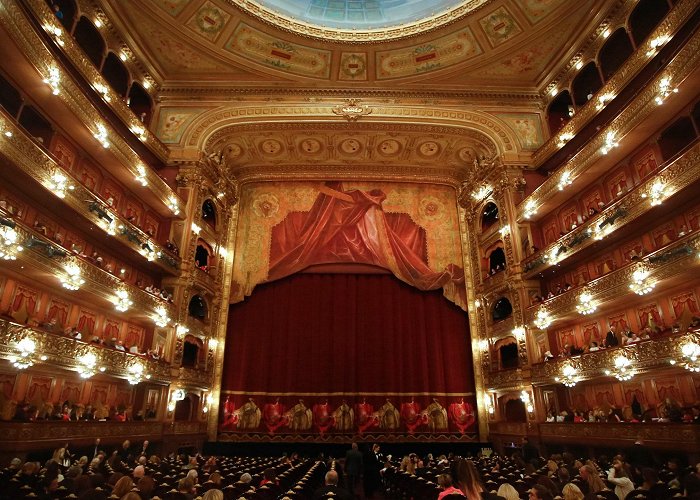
column 347, row 333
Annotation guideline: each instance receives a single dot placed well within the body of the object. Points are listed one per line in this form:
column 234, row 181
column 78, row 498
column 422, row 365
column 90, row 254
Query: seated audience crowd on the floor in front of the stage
column 135, row 473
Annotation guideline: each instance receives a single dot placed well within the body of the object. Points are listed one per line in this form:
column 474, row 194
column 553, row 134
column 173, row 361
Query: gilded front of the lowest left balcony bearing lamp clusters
column 61, row 352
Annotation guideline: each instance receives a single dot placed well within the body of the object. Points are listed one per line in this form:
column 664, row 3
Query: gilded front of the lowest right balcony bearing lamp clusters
column 645, row 357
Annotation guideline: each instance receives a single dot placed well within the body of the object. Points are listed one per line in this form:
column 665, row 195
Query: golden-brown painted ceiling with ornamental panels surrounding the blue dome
column 501, row 44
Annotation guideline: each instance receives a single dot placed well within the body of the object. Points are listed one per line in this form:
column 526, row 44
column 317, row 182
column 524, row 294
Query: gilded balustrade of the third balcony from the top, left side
column 31, row 158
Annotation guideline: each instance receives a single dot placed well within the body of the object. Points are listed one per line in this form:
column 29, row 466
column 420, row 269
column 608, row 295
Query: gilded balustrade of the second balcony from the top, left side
column 28, row 41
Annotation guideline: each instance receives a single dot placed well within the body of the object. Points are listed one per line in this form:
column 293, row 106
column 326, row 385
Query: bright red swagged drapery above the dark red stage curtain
column 352, row 227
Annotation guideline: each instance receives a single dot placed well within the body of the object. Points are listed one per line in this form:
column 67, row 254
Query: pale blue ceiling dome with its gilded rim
column 355, row 20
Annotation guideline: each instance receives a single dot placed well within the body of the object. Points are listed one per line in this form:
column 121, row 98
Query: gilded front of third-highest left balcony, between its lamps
column 25, row 154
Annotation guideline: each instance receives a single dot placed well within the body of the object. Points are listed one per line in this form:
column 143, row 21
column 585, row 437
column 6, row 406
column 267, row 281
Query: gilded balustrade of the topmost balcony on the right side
column 622, row 77
